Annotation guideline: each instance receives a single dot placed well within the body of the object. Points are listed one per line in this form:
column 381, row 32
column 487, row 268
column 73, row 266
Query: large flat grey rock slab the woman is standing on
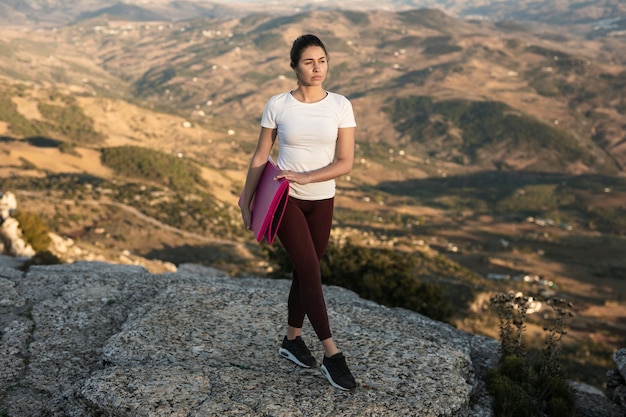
column 89, row 339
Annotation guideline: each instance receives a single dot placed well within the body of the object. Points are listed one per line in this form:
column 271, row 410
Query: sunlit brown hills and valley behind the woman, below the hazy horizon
column 496, row 145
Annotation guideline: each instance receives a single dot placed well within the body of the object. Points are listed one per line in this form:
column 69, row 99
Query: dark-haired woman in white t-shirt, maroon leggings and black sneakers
column 315, row 131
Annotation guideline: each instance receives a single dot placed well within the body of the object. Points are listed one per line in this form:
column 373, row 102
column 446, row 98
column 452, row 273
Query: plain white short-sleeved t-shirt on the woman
column 307, row 137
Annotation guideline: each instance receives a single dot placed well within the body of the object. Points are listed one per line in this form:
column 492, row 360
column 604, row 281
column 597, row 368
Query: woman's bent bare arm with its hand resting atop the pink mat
column 344, row 159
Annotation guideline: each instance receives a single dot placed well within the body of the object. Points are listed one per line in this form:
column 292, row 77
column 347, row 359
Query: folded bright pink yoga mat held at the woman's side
column 268, row 205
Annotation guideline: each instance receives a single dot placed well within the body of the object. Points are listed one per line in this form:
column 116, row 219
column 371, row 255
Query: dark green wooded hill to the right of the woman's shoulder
column 485, row 132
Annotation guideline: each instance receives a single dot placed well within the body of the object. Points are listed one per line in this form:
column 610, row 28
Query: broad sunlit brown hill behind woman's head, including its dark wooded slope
column 487, row 95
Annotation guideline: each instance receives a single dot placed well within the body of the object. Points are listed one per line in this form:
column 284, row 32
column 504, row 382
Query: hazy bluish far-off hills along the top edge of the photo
column 561, row 12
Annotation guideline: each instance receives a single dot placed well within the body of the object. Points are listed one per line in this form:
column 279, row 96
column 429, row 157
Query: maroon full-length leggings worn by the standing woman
column 304, row 233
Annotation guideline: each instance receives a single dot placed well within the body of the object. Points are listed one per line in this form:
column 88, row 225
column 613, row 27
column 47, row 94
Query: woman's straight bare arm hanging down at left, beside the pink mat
column 267, row 137
